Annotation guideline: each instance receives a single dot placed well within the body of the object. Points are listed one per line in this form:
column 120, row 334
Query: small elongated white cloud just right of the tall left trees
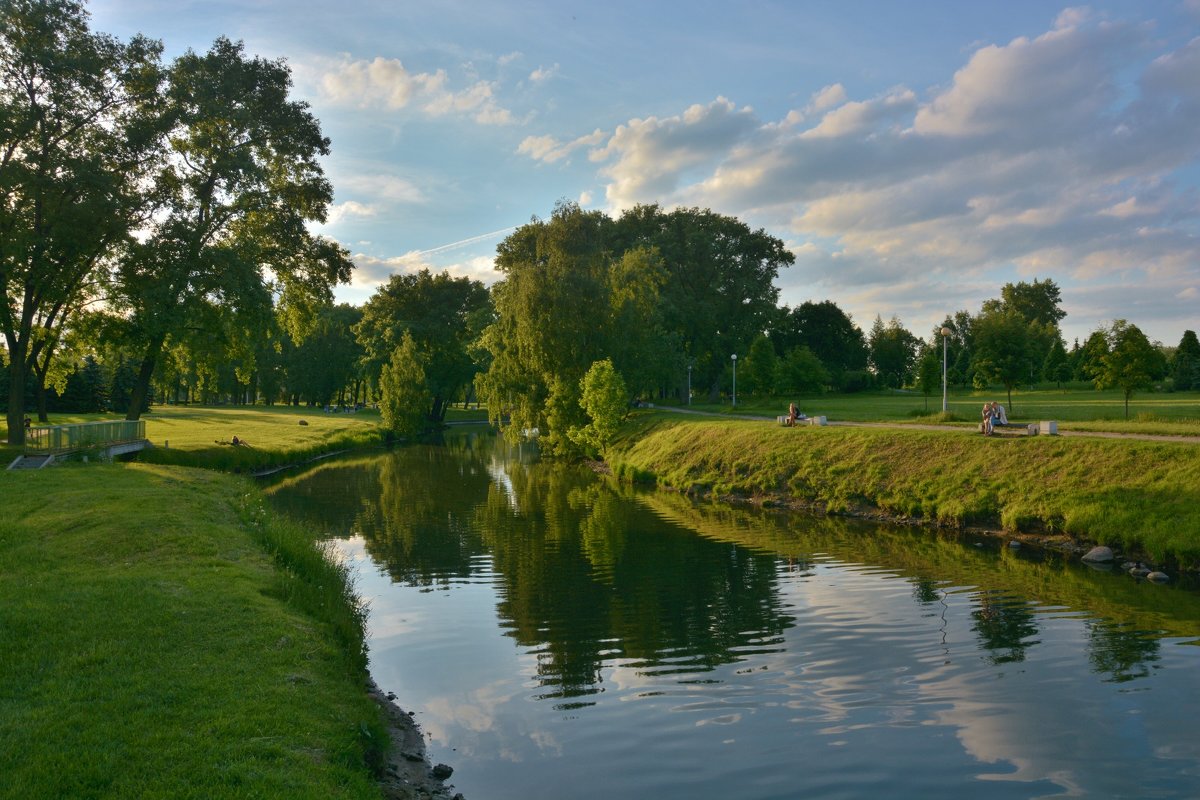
column 387, row 83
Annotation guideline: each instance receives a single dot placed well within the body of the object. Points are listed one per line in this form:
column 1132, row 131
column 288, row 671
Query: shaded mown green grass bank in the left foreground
column 165, row 637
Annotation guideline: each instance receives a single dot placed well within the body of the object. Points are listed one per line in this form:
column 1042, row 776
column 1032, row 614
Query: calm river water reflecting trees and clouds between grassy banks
column 563, row 637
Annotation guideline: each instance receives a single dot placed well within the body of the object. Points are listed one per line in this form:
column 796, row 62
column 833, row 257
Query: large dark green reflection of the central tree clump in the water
column 591, row 579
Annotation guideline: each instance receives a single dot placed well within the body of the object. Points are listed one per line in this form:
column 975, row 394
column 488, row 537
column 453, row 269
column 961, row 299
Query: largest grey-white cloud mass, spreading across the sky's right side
column 1060, row 155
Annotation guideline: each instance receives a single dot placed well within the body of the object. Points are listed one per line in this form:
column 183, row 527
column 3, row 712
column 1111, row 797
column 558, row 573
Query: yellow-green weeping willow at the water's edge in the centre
column 567, row 302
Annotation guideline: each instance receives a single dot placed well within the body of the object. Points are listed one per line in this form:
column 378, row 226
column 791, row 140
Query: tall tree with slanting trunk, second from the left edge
column 242, row 184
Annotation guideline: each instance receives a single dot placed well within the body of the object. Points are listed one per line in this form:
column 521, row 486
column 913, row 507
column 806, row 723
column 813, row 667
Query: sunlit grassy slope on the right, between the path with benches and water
column 1135, row 495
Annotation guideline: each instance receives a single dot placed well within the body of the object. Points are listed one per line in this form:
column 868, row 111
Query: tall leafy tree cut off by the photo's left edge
column 76, row 139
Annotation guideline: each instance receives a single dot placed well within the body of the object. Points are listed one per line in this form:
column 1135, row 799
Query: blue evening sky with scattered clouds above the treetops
column 914, row 157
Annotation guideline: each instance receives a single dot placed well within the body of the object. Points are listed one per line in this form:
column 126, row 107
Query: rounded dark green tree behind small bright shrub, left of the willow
column 443, row 315
